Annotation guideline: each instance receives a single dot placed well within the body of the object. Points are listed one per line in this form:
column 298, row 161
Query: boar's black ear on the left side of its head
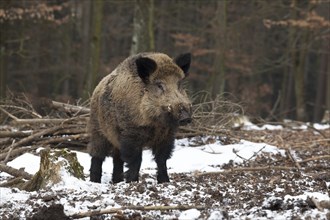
column 145, row 66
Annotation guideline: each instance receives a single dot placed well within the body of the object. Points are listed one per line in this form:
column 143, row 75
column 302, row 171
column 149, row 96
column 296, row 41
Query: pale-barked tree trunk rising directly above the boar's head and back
column 143, row 28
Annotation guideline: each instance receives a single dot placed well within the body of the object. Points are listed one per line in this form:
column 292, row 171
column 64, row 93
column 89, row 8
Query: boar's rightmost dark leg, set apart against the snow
column 162, row 153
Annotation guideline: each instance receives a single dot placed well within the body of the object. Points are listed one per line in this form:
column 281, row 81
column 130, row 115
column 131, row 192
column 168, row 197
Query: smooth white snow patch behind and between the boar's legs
column 187, row 159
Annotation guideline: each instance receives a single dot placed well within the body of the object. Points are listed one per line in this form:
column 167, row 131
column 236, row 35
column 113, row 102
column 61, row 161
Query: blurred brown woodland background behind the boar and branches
column 270, row 55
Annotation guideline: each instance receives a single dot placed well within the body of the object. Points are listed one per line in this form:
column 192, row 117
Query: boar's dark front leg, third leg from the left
column 131, row 154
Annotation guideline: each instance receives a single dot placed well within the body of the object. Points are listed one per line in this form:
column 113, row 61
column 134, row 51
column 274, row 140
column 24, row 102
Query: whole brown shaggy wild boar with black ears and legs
column 140, row 104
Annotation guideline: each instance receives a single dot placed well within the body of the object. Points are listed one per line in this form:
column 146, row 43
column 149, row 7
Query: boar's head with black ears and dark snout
column 164, row 99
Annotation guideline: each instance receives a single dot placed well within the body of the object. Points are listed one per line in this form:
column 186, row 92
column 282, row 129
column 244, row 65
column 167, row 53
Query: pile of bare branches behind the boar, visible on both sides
column 29, row 123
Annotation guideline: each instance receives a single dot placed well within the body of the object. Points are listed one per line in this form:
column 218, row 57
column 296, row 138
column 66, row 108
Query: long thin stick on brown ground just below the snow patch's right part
column 248, row 169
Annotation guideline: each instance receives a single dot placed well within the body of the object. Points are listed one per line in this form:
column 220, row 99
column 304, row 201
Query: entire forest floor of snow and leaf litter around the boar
column 273, row 174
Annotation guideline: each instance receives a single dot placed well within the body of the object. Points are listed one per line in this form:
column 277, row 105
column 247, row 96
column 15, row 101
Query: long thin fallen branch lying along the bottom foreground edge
column 141, row 208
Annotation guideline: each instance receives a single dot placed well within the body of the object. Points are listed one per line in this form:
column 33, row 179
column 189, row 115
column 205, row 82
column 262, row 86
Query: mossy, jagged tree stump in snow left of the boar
column 52, row 163
